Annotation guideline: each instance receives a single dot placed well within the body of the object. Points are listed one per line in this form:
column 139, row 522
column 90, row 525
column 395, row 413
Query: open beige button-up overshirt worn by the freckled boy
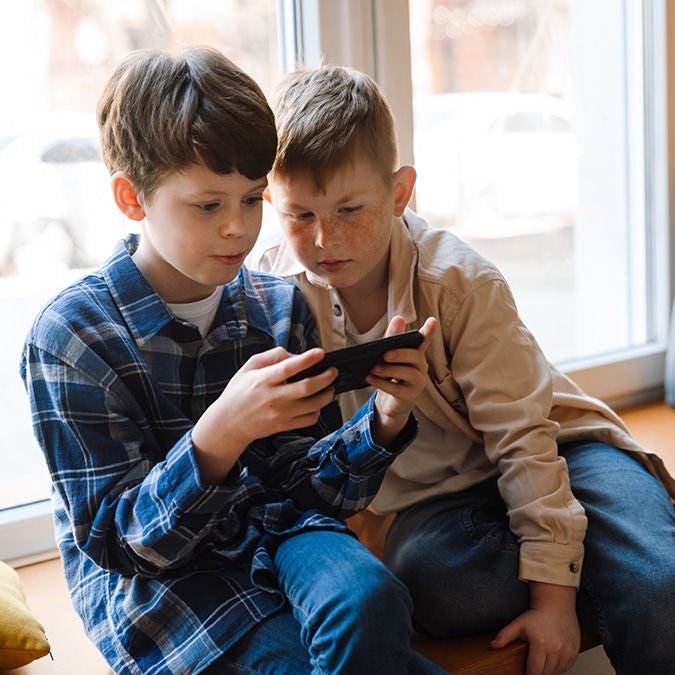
column 490, row 386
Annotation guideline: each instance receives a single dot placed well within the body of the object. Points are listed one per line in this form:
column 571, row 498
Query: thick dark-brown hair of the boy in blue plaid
column 161, row 112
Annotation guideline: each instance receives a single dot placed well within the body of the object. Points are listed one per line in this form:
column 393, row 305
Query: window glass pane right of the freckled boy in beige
column 523, row 131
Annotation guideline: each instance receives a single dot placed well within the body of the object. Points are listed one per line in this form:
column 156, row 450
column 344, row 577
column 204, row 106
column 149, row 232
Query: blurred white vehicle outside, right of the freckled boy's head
column 496, row 164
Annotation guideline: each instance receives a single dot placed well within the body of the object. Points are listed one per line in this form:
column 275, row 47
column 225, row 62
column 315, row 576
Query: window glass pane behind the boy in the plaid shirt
column 58, row 218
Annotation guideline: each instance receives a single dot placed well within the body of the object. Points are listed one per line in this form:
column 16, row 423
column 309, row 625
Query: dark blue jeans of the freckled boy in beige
column 459, row 560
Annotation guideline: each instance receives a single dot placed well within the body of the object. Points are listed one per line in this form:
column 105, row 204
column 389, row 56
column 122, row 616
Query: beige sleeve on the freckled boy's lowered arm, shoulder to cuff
column 507, row 387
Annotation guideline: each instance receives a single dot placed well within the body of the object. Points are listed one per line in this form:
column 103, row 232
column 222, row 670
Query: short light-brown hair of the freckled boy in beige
column 328, row 116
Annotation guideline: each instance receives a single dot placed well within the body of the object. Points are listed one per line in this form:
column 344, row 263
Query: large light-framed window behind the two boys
column 541, row 144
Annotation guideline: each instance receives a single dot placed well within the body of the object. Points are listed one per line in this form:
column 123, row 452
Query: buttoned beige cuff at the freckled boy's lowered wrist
column 551, row 563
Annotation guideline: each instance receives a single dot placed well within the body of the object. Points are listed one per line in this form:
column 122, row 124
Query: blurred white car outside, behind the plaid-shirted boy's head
column 57, row 202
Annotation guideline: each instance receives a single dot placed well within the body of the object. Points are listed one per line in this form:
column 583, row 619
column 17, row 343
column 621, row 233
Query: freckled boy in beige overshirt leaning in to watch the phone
column 519, row 489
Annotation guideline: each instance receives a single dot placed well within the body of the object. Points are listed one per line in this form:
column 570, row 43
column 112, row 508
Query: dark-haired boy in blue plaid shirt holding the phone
column 199, row 495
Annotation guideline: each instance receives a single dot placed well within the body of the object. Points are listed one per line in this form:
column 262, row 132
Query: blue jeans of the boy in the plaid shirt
column 348, row 614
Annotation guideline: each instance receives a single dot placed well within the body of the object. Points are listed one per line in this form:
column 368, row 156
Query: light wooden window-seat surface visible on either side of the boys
column 652, row 425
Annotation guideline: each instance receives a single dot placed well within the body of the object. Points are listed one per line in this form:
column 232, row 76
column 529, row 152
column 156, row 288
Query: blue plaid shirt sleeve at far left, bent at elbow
column 129, row 513
